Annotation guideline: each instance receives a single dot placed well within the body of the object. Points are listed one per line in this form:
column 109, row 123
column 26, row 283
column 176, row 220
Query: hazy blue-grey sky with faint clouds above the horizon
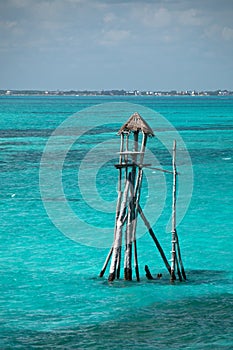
column 116, row 44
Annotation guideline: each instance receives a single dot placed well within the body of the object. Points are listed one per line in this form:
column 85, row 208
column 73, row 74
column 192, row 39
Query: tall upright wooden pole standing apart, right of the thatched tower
column 173, row 251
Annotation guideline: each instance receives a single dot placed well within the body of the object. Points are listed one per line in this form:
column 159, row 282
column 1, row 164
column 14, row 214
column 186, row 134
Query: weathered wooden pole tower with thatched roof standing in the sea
column 134, row 135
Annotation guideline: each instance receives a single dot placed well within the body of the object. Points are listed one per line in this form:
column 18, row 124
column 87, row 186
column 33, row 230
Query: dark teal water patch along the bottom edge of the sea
column 192, row 323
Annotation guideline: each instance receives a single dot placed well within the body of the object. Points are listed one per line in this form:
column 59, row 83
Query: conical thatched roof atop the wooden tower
column 136, row 123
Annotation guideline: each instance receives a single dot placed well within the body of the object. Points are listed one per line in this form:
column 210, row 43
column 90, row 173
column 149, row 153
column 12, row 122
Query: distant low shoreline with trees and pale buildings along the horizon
column 113, row 93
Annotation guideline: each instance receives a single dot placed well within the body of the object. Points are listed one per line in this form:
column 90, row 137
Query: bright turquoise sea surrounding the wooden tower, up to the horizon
column 50, row 294
